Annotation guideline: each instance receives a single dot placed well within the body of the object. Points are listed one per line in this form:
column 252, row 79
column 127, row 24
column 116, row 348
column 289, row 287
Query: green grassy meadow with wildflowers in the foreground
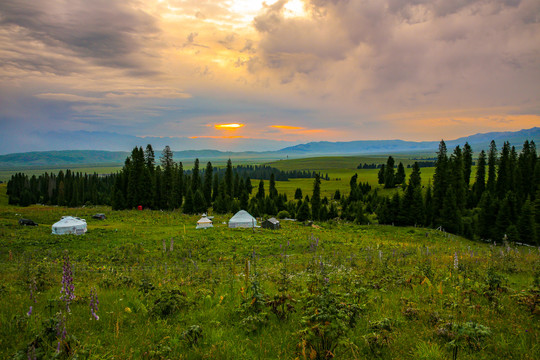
column 168, row 291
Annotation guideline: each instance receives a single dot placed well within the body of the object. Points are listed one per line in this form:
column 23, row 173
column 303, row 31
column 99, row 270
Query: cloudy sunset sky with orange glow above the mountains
column 288, row 71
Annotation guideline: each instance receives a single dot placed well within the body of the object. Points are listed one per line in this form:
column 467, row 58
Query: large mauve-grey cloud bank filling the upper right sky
column 407, row 53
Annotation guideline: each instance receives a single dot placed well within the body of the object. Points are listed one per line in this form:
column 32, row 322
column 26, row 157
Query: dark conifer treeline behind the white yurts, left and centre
column 143, row 183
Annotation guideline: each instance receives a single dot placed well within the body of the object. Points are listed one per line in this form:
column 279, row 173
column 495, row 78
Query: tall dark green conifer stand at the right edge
column 503, row 202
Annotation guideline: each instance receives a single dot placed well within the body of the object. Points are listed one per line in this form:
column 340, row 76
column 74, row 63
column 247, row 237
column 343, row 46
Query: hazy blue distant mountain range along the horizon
column 94, row 157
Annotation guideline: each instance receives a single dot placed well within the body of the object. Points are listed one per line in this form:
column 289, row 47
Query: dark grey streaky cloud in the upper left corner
column 107, row 33
